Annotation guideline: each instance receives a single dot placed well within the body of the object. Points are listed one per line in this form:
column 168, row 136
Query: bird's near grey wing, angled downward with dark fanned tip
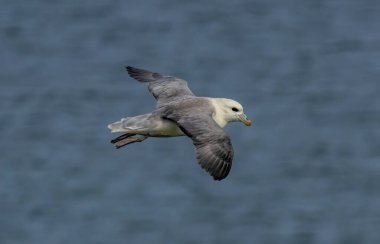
column 212, row 145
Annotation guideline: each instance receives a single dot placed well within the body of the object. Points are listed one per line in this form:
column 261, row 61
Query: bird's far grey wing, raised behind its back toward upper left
column 164, row 88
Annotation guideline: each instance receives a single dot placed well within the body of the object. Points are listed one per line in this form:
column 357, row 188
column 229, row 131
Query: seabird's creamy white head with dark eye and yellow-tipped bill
column 228, row 110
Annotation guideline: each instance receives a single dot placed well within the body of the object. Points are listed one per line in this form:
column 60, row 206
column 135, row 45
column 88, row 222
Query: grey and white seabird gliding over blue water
column 179, row 112
